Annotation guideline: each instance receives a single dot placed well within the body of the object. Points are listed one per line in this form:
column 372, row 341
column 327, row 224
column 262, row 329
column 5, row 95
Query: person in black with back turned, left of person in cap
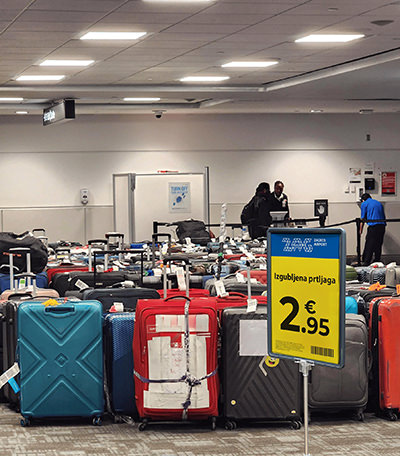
column 256, row 213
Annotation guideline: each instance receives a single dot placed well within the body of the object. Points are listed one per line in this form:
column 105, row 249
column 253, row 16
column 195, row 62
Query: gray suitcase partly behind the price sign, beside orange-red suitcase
column 332, row 389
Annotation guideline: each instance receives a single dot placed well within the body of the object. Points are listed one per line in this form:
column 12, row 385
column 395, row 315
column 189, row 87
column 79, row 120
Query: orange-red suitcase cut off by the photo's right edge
column 385, row 346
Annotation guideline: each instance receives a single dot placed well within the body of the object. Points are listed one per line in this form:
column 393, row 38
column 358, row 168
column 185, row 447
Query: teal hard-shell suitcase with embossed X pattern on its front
column 61, row 360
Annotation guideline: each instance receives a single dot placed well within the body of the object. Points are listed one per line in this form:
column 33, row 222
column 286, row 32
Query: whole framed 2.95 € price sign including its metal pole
column 306, row 313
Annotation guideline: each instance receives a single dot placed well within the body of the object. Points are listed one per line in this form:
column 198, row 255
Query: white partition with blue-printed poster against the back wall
column 141, row 199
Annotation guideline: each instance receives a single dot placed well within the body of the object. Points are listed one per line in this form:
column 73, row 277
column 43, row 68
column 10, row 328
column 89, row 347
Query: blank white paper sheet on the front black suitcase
column 253, row 338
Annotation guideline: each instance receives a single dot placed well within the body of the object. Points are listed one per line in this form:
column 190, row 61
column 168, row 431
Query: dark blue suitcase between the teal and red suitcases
column 119, row 362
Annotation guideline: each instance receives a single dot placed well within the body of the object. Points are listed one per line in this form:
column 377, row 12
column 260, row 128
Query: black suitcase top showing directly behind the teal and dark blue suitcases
column 127, row 296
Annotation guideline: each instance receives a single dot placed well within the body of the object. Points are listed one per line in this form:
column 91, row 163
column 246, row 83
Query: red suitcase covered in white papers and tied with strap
column 176, row 376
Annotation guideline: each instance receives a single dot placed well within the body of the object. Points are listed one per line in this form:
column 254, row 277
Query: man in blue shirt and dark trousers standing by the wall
column 372, row 210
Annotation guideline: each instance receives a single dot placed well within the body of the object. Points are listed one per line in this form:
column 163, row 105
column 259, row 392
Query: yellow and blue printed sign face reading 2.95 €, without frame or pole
column 305, row 310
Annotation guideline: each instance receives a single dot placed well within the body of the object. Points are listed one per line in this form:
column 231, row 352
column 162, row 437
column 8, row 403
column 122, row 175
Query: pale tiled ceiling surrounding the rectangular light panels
column 196, row 39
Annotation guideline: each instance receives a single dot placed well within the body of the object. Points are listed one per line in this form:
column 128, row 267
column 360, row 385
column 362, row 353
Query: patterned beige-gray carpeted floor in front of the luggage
column 327, row 437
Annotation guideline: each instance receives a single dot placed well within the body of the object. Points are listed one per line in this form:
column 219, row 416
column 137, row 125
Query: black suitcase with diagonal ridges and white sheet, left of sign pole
column 256, row 388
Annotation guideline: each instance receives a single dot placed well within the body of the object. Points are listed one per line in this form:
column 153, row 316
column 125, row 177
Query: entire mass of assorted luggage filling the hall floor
column 161, row 331
